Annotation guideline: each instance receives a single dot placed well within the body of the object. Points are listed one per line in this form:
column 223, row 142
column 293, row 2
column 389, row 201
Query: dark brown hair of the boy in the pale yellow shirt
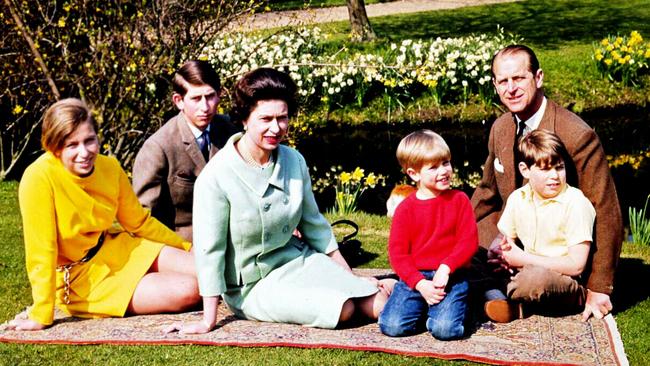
column 542, row 148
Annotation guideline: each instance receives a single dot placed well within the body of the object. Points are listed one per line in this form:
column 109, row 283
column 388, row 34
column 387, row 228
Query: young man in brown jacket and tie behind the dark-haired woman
column 172, row 158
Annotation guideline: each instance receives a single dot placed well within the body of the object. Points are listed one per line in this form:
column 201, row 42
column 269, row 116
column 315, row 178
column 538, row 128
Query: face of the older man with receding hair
column 519, row 90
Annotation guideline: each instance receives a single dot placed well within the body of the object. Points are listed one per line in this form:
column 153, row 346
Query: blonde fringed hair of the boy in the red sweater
column 422, row 147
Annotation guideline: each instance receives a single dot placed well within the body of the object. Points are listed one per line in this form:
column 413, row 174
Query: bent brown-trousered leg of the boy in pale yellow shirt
column 547, row 290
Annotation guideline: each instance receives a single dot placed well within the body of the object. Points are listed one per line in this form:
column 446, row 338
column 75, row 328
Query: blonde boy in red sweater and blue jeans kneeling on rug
column 433, row 236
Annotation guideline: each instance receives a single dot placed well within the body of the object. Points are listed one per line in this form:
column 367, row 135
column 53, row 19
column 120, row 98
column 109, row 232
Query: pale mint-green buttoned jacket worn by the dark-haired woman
column 244, row 219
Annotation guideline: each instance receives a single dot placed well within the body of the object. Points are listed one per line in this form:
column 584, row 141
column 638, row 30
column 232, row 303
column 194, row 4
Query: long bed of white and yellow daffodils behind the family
column 450, row 69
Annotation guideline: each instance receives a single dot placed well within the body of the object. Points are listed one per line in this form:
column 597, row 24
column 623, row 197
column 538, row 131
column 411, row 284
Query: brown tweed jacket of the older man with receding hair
column 588, row 171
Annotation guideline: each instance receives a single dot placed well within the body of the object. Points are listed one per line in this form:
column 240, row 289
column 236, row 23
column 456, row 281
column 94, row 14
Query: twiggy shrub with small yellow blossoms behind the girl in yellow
column 117, row 56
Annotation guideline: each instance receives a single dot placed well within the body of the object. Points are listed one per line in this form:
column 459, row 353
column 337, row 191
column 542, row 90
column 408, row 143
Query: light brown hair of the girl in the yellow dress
column 62, row 119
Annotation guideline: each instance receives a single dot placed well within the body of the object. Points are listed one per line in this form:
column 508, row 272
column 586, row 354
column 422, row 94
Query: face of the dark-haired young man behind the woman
column 198, row 105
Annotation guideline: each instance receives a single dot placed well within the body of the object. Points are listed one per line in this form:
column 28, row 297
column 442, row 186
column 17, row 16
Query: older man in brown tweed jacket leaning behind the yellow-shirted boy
column 518, row 81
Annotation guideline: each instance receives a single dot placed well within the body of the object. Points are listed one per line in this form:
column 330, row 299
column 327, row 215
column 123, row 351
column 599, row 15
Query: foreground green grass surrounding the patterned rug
column 632, row 312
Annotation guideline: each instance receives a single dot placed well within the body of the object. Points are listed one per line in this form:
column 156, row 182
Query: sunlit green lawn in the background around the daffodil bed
column 561, row 32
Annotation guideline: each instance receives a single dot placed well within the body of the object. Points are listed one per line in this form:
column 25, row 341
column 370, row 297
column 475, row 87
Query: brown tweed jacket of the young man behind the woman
column 166, row 168
